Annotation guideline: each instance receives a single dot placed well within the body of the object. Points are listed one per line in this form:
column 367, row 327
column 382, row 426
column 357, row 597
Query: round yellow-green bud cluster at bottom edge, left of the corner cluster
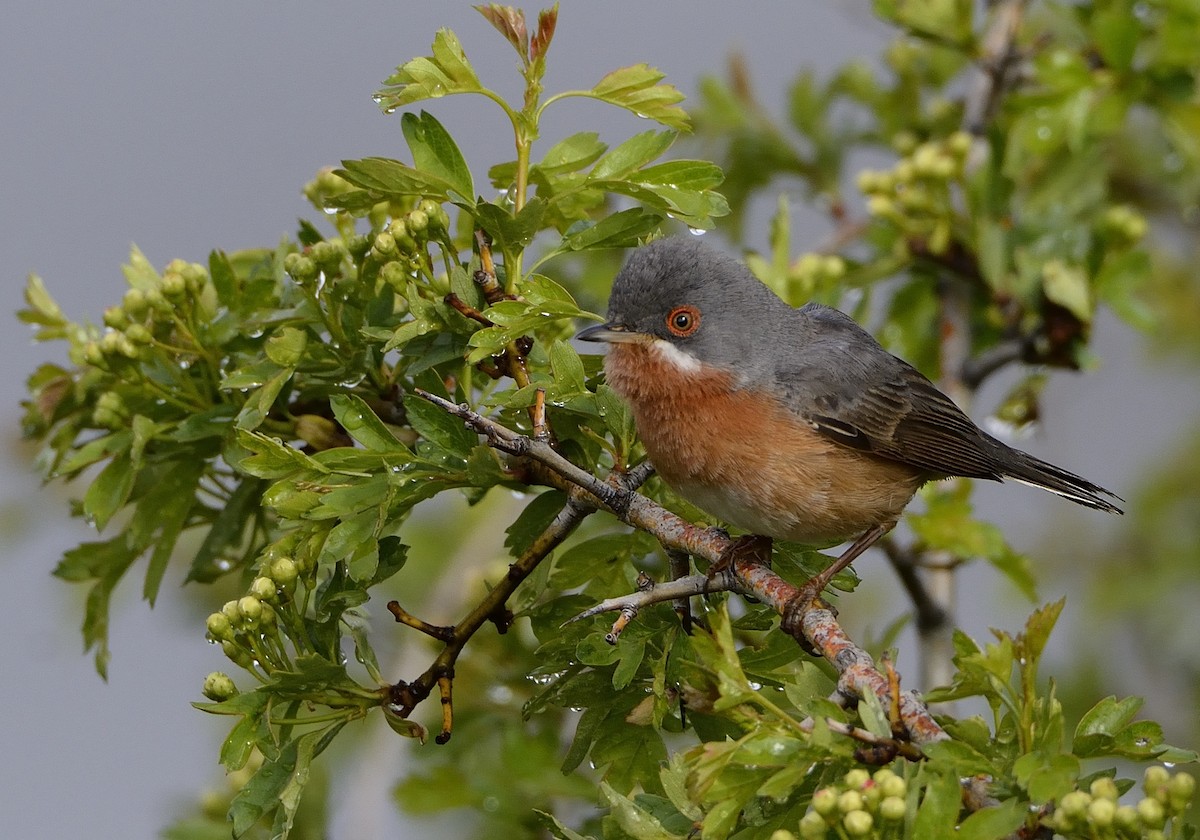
column 863, row 806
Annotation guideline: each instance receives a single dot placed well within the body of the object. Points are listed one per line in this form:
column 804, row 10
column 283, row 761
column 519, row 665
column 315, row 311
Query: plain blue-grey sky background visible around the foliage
column 191, row 127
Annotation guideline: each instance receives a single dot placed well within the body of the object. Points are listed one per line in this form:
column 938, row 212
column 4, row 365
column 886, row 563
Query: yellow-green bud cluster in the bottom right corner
column 1097, row 813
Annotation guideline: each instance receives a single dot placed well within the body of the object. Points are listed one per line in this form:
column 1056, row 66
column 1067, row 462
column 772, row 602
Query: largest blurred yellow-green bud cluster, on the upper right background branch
column 915, row 194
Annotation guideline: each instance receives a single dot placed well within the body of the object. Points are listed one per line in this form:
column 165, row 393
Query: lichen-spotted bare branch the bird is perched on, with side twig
column 814, row 623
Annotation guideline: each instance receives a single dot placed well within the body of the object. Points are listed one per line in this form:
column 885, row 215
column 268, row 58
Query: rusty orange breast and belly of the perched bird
column 747, row 460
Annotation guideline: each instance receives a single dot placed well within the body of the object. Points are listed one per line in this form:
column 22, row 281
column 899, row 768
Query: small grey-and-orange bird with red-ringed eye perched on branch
column 785, row 423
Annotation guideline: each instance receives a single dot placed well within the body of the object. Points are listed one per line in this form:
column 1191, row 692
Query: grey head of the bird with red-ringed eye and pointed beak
column 698, row 299
